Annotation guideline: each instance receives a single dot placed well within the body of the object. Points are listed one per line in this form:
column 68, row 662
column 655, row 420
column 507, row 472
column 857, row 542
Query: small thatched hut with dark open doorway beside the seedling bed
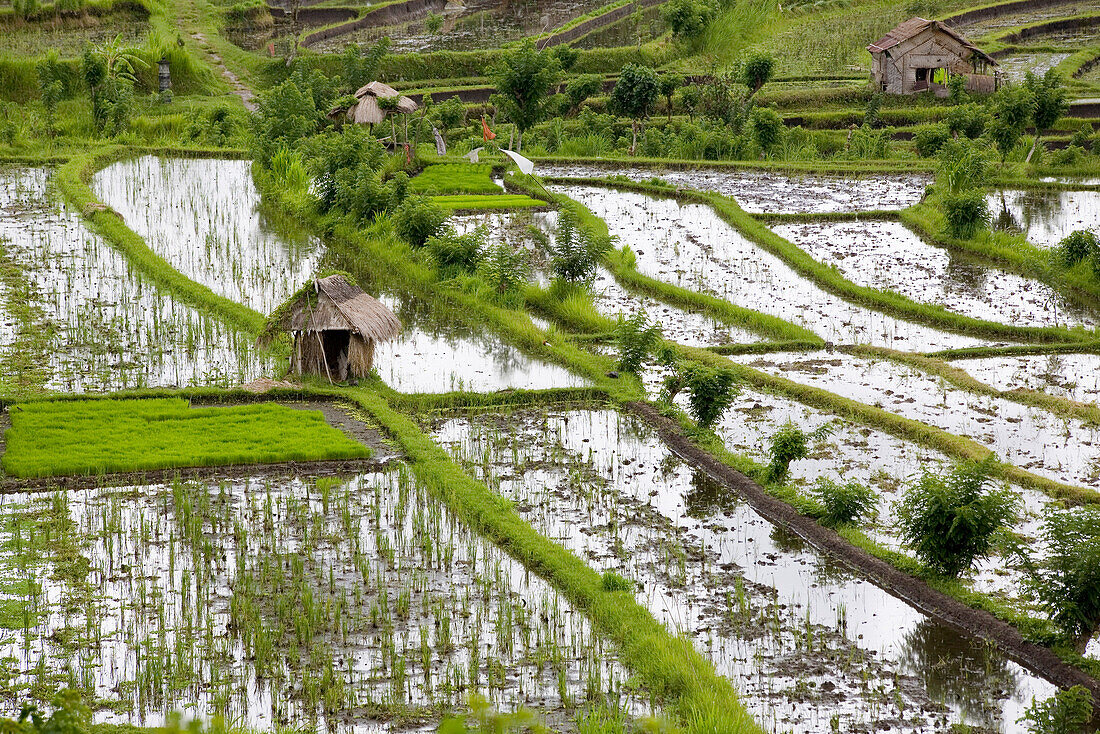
column 336, row 327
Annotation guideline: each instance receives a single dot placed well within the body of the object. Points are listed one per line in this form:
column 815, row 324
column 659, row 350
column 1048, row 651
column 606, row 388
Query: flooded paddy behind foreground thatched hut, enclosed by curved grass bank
column 204, row 217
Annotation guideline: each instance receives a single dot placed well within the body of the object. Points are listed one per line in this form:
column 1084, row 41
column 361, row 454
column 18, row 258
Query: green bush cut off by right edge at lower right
column 1068, row 579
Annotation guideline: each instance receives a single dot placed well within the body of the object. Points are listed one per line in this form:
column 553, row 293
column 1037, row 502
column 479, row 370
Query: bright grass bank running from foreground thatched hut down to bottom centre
column 666, row 665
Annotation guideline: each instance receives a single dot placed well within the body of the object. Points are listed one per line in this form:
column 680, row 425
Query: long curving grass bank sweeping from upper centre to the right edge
column 831, row 280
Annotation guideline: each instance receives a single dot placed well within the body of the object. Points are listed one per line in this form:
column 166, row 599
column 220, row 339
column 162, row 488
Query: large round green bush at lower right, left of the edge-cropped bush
column 950, row 521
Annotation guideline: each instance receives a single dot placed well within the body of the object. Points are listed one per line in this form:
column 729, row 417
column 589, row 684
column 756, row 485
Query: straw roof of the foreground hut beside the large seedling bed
column 339, row 306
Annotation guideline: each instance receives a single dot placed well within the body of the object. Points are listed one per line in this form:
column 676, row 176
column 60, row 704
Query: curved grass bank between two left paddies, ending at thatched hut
column 72, row 180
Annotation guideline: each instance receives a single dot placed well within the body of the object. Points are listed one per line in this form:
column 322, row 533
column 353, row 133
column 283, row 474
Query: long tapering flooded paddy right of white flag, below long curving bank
column 691, row 247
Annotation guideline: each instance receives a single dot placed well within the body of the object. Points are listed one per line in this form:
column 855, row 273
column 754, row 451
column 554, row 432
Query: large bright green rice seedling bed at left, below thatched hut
column 92, row 437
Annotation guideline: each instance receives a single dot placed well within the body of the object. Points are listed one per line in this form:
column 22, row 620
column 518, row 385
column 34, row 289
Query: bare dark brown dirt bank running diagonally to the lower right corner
column 973, row 622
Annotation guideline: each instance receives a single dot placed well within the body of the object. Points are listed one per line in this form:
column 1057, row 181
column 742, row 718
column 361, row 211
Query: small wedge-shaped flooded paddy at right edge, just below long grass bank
column 1076, row 377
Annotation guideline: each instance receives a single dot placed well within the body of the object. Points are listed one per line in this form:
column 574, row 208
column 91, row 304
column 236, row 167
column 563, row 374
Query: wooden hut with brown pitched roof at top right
column 921, row 56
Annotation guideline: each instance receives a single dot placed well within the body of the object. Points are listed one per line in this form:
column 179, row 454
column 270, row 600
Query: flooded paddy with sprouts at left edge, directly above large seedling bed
column 87, row 323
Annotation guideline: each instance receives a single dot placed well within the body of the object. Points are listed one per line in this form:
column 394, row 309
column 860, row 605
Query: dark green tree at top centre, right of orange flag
column 524, row 80
